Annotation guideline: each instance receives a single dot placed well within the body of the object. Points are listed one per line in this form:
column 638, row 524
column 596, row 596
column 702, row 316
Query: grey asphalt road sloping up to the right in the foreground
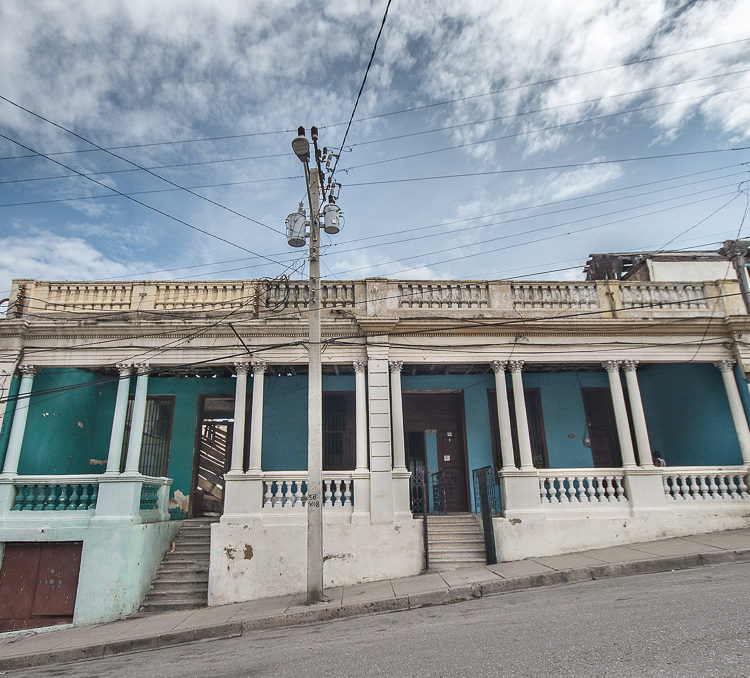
column 686, row 623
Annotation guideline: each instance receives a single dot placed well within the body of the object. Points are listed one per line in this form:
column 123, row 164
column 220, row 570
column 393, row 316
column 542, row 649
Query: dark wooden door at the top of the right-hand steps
column 444, row 414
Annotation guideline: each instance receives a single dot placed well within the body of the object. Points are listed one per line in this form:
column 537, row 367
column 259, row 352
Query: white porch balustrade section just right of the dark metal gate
column 604, row 486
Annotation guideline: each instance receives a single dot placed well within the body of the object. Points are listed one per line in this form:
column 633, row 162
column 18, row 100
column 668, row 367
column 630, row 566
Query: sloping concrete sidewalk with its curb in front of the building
column 26, row 649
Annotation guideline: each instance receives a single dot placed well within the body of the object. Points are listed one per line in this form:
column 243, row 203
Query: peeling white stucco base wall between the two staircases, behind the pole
column 253, row 560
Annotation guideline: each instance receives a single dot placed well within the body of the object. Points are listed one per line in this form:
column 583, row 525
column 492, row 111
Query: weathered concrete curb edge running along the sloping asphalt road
column 399, row 603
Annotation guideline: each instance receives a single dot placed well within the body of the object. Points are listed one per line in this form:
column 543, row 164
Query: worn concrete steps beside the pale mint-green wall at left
column 182, row 580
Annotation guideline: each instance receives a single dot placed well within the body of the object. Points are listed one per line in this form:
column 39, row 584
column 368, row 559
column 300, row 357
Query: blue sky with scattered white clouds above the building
column 493, row 139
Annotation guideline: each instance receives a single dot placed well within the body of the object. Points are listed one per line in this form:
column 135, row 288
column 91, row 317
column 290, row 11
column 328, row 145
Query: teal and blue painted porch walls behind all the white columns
column 686, row 409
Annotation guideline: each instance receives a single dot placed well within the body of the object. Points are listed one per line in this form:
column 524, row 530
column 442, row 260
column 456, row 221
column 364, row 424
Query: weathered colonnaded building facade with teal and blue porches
column 131, row 406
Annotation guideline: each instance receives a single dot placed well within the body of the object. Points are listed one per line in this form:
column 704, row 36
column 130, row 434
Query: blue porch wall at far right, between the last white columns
column 688, row 416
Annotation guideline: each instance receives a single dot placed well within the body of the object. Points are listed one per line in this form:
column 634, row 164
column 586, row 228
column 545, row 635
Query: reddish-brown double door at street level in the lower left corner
column 38, row 584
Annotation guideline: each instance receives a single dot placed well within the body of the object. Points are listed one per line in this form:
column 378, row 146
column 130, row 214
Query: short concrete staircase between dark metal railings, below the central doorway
column 455, row 540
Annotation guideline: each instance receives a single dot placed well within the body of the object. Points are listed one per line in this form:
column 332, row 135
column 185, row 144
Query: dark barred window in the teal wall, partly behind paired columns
column 157, row 433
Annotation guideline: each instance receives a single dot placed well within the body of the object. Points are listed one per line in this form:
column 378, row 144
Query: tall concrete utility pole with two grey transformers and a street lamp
column 296, row 227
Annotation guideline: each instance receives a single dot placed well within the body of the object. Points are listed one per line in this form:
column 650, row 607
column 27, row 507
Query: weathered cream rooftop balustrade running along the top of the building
column 643, row 298
